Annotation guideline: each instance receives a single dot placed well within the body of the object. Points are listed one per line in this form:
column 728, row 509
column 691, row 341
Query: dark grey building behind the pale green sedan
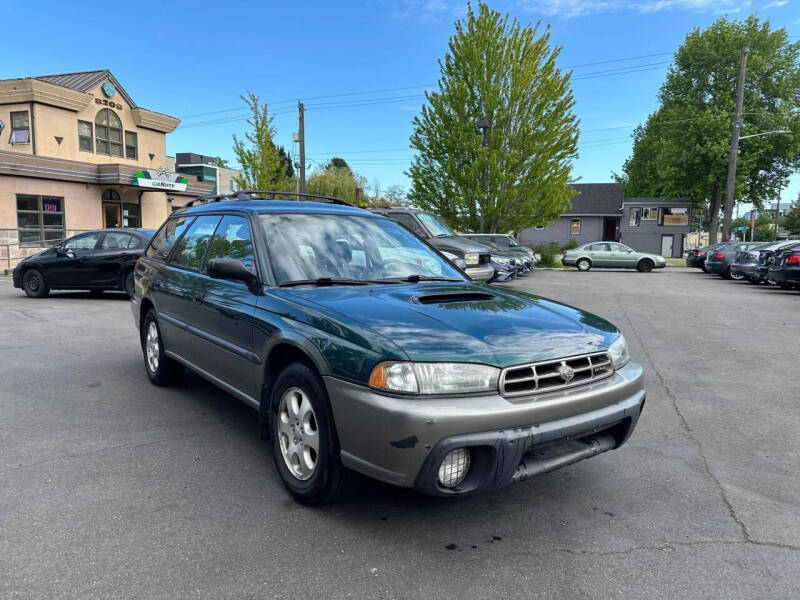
column 599, row 212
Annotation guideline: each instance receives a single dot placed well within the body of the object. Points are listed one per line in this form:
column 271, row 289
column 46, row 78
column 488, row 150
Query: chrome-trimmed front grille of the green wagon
column 546, row 376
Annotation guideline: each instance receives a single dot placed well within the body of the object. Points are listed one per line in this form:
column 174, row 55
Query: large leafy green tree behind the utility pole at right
column 682, row 148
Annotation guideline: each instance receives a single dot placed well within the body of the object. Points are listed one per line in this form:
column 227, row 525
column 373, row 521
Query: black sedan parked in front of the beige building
column 96, row 261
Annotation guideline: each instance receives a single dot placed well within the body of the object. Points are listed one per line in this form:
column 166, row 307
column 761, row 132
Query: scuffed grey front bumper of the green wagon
column 402, row 440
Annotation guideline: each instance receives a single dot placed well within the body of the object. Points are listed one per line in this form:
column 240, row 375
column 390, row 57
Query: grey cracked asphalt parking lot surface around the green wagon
column 113, row 488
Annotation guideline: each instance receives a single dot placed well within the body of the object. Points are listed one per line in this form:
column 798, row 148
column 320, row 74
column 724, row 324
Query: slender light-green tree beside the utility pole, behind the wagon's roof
column 263, row 165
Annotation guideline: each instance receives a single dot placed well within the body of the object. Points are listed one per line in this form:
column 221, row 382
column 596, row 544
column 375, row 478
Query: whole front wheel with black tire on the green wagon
column 304, row 441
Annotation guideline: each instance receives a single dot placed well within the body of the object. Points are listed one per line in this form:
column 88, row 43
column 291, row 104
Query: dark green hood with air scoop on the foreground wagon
column 463, row 322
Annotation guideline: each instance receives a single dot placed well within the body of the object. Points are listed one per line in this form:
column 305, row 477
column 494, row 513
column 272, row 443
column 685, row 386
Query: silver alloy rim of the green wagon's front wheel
column 298, row 433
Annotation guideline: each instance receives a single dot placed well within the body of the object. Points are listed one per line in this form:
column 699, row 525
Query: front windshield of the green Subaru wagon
column 309, row 247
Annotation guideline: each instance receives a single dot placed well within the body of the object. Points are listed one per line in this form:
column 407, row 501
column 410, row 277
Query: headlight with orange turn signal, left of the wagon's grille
column 434, row 378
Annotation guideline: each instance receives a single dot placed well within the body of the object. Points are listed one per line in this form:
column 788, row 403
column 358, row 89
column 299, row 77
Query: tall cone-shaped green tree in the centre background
column 503, row 72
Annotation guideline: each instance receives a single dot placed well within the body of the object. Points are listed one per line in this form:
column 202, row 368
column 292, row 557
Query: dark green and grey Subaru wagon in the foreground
column 363, row 349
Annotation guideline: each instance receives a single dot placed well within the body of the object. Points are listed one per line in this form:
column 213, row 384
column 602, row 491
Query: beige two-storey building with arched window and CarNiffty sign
column 77, row 153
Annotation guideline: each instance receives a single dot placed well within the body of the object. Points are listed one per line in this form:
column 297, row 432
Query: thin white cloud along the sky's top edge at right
column 579, row 8
